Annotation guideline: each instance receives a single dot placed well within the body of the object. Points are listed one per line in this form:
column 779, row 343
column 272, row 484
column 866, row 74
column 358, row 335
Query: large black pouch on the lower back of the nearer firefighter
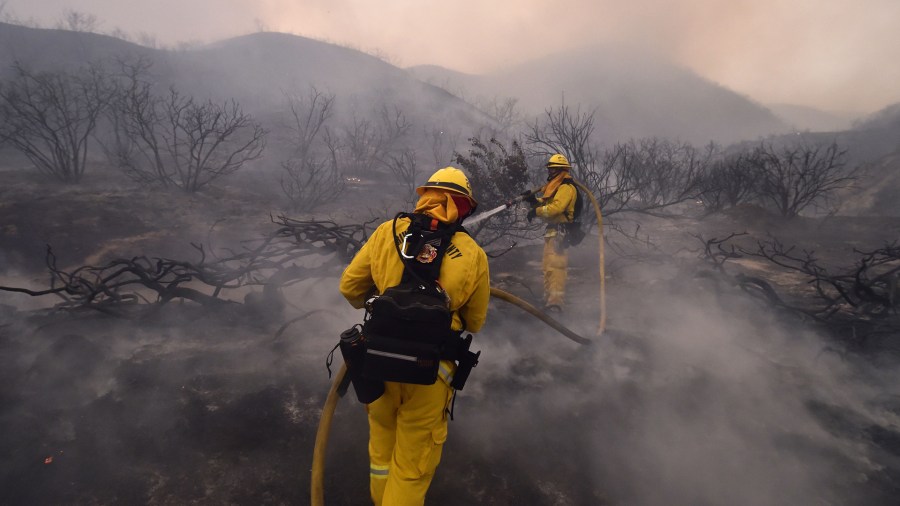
column 406, row 333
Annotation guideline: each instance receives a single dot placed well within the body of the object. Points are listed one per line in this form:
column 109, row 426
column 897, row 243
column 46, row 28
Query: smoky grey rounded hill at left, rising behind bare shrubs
column 255, row 69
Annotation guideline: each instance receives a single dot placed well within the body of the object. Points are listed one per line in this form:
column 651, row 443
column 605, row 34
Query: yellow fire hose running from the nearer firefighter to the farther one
column 317, row 478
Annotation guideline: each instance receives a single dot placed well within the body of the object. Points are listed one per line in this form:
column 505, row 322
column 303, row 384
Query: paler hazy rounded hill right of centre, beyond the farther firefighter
column 634, row 95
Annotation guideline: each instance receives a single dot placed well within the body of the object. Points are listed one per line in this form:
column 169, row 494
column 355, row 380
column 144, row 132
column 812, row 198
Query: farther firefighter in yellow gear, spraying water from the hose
column 556, row 206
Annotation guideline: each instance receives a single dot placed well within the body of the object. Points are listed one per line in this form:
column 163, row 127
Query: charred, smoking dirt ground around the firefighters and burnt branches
column 694, row 395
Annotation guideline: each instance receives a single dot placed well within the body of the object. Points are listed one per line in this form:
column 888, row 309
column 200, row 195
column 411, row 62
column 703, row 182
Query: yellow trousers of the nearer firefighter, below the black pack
column 407, row 430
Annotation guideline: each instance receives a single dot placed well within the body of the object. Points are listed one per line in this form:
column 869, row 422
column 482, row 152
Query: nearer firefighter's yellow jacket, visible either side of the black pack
column 464, row 274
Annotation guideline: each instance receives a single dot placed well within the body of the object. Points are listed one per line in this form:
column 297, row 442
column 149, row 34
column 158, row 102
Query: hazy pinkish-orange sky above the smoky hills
column 831, row 54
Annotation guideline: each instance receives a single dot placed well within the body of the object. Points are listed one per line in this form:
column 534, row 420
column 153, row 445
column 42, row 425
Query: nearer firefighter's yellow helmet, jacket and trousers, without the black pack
column 408, row 422
